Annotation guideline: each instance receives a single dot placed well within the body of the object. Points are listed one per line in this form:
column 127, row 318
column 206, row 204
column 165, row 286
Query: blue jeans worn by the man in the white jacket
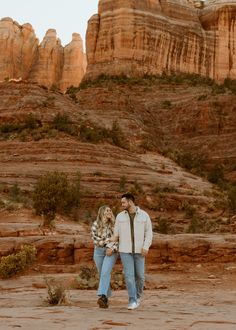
column 134, row 268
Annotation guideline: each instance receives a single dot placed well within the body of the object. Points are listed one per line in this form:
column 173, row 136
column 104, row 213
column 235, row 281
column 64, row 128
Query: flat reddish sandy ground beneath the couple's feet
column 200, row 299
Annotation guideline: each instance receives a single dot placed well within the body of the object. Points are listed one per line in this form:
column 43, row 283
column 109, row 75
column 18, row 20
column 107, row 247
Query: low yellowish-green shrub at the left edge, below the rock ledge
column 14, row 264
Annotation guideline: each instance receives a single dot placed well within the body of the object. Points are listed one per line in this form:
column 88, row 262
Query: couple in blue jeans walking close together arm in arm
column 131, row 235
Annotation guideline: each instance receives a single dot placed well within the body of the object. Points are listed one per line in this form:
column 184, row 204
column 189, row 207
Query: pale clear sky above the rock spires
column 66, row 16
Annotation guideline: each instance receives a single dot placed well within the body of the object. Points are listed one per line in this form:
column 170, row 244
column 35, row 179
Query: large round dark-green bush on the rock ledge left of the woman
column 53, row 193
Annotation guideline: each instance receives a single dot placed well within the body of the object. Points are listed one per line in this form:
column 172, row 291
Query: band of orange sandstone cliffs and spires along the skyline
column 128, row 37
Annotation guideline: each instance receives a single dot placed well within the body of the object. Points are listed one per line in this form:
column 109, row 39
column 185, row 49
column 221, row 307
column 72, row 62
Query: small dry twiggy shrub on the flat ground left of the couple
column 57, row 293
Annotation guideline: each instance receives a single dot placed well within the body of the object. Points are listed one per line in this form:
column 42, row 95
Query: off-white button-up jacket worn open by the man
column 142, row 231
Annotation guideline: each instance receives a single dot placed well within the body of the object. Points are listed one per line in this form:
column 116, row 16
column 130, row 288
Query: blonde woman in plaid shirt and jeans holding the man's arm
column 105, row 252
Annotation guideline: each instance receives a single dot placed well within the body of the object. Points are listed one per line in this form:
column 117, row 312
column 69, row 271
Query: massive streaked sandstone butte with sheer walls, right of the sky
column 155, row 36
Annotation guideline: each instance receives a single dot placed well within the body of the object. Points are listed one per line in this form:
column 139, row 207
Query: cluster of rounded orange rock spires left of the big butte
column 48, row 63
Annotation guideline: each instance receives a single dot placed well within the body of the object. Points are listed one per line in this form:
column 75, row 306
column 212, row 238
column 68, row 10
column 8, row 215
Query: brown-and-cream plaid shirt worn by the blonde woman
column 104, row 239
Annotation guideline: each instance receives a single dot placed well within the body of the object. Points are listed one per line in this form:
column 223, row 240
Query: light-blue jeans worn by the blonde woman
column 104, row 266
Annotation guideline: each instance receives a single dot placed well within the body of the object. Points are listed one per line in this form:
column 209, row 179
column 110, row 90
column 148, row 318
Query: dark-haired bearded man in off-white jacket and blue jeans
column 133, row 230
